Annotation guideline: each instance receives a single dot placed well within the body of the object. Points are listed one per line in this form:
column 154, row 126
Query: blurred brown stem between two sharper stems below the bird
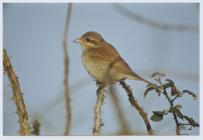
column 125, row 129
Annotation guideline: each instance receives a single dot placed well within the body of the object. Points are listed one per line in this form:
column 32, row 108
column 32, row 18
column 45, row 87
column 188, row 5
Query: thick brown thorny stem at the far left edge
column 17, row 95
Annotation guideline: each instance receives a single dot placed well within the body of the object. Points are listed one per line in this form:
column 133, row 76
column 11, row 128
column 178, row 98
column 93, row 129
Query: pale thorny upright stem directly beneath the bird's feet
column 97, row 114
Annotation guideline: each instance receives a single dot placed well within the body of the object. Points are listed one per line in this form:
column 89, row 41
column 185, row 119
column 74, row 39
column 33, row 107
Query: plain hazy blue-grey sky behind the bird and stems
column 33, row 36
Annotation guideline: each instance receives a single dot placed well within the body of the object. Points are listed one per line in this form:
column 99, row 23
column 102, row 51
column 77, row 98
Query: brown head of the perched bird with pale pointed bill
column 90, row 40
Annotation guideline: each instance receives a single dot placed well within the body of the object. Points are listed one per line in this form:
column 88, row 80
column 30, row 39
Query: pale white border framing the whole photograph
column 91, row 137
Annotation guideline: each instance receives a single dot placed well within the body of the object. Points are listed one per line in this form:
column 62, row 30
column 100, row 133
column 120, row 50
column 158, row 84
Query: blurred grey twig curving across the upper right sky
column 155, row 24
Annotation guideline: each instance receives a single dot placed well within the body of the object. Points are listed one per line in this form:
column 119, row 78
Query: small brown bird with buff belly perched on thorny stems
column 103, row 62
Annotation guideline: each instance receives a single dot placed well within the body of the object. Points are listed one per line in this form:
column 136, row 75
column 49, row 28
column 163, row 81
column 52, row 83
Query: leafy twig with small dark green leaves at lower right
column 173, row 109
